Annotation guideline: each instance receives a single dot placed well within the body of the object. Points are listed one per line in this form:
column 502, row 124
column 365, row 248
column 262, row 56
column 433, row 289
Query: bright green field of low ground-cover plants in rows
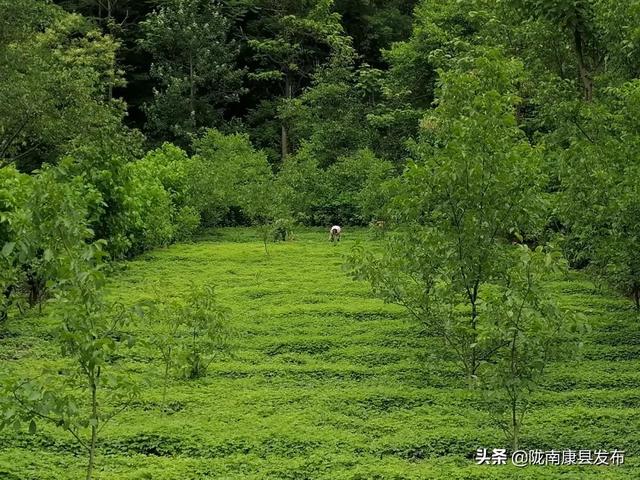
column 327, row 382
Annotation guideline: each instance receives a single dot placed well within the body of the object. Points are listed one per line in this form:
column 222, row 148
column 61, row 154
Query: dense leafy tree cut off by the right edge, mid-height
column 599, row 199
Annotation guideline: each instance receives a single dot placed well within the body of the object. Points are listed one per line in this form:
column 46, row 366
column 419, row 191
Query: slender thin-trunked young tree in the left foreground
column 90, row 334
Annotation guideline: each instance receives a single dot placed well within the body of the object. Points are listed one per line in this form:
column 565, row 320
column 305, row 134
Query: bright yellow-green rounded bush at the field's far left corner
column 141, row 203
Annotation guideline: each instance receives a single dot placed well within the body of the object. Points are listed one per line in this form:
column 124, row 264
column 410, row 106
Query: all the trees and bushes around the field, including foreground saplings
column 488, row 145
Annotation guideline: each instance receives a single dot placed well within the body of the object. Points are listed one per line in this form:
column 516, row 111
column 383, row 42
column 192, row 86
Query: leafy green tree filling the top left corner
column 48, row 55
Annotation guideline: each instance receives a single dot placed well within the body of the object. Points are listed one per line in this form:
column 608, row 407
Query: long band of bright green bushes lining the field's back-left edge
column 108, row 190
